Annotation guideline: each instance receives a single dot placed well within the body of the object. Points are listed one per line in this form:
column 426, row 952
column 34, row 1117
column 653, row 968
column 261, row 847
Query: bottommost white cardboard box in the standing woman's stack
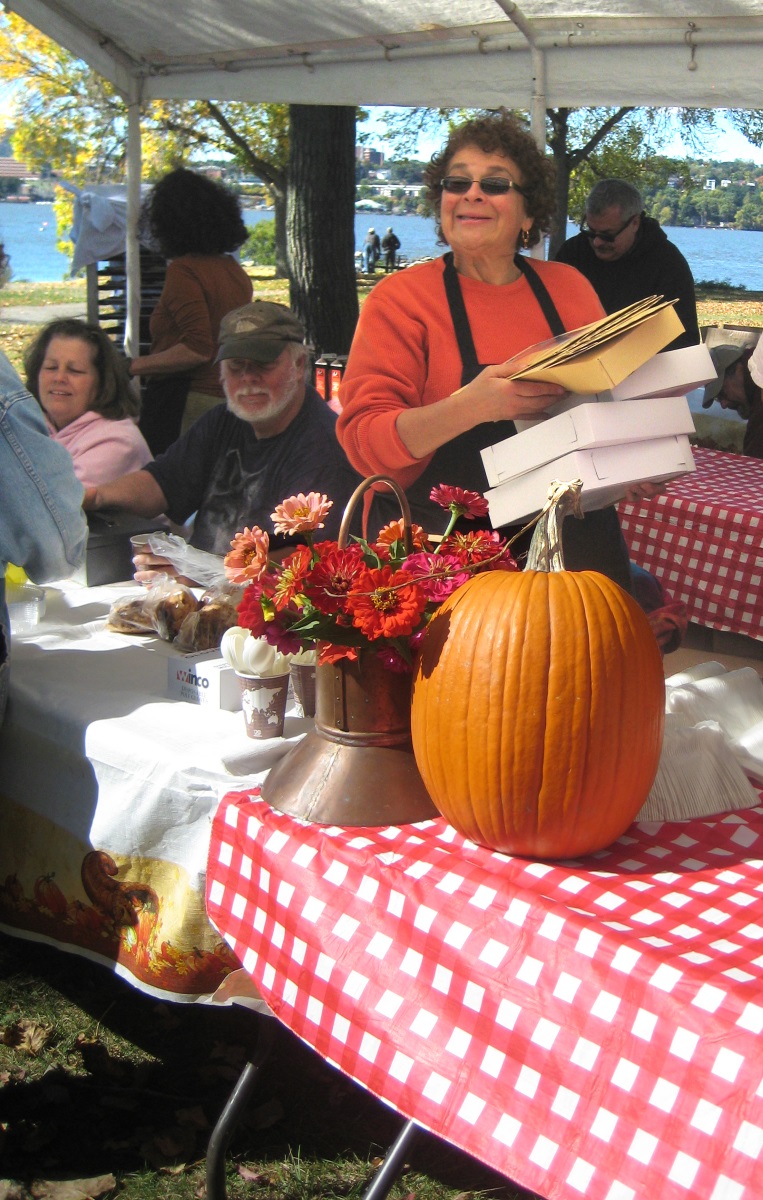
column 608, row 472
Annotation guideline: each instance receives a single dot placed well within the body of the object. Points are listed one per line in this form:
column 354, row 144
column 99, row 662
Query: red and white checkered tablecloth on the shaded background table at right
column 704, row 541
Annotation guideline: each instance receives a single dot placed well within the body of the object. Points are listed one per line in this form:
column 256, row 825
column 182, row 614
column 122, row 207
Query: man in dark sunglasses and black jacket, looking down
column 627, row 256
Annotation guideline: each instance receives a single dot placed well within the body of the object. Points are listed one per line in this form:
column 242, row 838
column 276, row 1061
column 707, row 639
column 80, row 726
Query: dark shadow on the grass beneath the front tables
column 129, row 1082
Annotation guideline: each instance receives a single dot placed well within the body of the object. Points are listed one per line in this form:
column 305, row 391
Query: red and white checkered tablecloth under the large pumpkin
column 588, row 1029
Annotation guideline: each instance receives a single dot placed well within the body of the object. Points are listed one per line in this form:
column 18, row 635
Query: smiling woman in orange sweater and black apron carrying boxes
column 426, row 385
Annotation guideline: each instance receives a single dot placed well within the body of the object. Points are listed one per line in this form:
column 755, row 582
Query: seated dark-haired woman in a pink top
column 80, row 380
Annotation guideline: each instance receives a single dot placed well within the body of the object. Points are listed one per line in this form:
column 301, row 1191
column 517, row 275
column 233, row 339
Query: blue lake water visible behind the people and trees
column 732, row 256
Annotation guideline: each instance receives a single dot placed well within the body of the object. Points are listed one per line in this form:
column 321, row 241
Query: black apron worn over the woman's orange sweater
column 594, row 544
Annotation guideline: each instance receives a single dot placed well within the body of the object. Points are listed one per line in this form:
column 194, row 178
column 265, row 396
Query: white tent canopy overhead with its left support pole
column 538, row 55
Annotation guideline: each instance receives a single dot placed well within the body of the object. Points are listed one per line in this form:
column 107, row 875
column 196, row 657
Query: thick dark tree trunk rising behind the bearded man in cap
column 321, row 224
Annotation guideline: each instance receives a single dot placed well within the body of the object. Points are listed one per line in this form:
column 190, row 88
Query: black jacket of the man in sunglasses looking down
column 653, row 267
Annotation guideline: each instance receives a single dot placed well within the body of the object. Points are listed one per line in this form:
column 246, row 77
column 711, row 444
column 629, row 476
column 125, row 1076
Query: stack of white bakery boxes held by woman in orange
column 612, row 439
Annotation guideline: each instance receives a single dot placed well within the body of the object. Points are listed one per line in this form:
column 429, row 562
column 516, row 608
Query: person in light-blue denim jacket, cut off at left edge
column 43, row 527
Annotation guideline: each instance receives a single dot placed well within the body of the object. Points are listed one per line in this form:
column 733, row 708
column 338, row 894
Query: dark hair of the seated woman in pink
column 116, row 399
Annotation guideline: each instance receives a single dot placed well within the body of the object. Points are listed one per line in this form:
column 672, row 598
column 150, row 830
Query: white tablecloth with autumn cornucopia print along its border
column 107, row 790
